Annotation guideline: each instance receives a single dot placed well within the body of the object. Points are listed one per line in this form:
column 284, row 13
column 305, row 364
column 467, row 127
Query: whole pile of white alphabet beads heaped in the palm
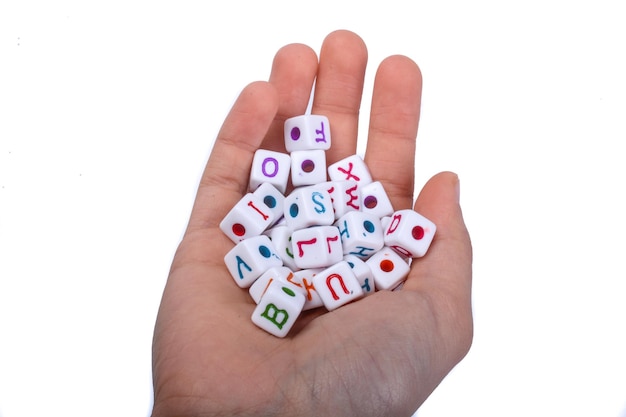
column 332, row 240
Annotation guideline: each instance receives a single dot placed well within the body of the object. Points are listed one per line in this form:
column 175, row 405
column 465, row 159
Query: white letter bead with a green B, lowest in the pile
column 278, row 309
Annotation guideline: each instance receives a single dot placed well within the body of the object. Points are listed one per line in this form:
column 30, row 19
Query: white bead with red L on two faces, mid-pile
column 316, row 247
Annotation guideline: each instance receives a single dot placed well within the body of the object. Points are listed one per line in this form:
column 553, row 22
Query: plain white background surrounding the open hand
column 107, row 115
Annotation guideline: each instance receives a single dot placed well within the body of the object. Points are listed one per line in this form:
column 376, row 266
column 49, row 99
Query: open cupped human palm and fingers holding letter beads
column 382, row 355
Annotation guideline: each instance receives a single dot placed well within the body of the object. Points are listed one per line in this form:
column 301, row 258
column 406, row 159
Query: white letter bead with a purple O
column 272, row 167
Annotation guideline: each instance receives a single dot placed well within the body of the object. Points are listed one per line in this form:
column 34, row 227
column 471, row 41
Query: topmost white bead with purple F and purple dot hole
column 306, row 132
